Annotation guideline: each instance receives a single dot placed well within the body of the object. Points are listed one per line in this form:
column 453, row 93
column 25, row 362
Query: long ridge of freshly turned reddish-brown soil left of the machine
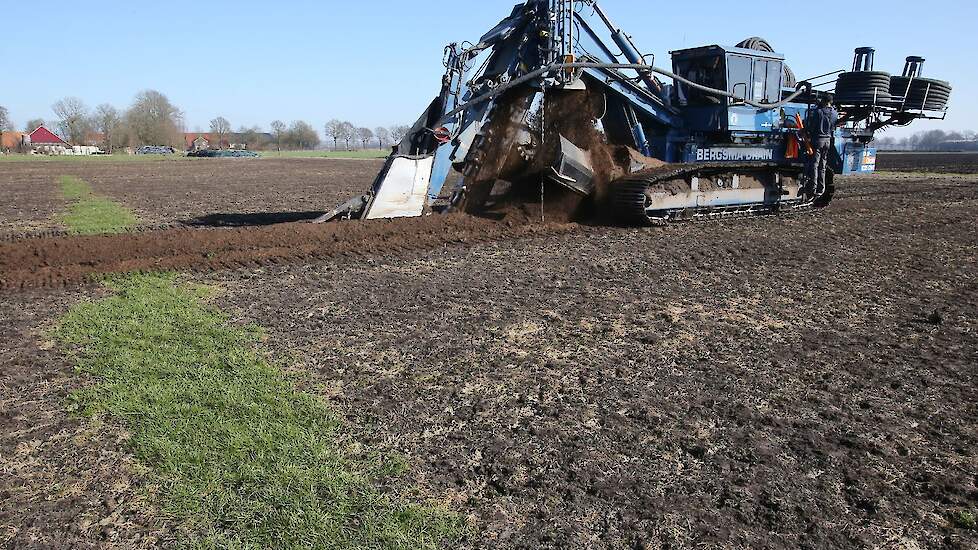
column 58, row 261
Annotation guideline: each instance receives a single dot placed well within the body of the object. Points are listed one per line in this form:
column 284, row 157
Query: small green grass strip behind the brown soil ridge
column 91, row 214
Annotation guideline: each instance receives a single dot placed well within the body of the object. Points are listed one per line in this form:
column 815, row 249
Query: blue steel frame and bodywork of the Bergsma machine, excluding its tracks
column 725, row 104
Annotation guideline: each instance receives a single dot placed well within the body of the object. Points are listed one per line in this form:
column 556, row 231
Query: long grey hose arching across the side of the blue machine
column 801, row 89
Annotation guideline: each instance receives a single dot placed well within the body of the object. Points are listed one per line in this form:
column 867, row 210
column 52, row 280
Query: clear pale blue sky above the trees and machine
column 379, row 63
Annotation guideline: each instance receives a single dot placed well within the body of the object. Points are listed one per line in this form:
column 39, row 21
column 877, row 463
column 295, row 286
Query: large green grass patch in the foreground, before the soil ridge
column 238, row 457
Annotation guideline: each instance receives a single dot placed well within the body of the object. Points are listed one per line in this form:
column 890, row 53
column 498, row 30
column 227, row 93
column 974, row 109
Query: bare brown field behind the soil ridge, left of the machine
column 207, row 192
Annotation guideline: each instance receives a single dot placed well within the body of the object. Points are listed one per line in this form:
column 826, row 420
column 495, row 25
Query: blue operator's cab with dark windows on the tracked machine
column 750, row 74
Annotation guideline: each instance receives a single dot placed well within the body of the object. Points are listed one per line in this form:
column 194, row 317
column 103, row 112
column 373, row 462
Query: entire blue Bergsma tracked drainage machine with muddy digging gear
column 720, row 134
